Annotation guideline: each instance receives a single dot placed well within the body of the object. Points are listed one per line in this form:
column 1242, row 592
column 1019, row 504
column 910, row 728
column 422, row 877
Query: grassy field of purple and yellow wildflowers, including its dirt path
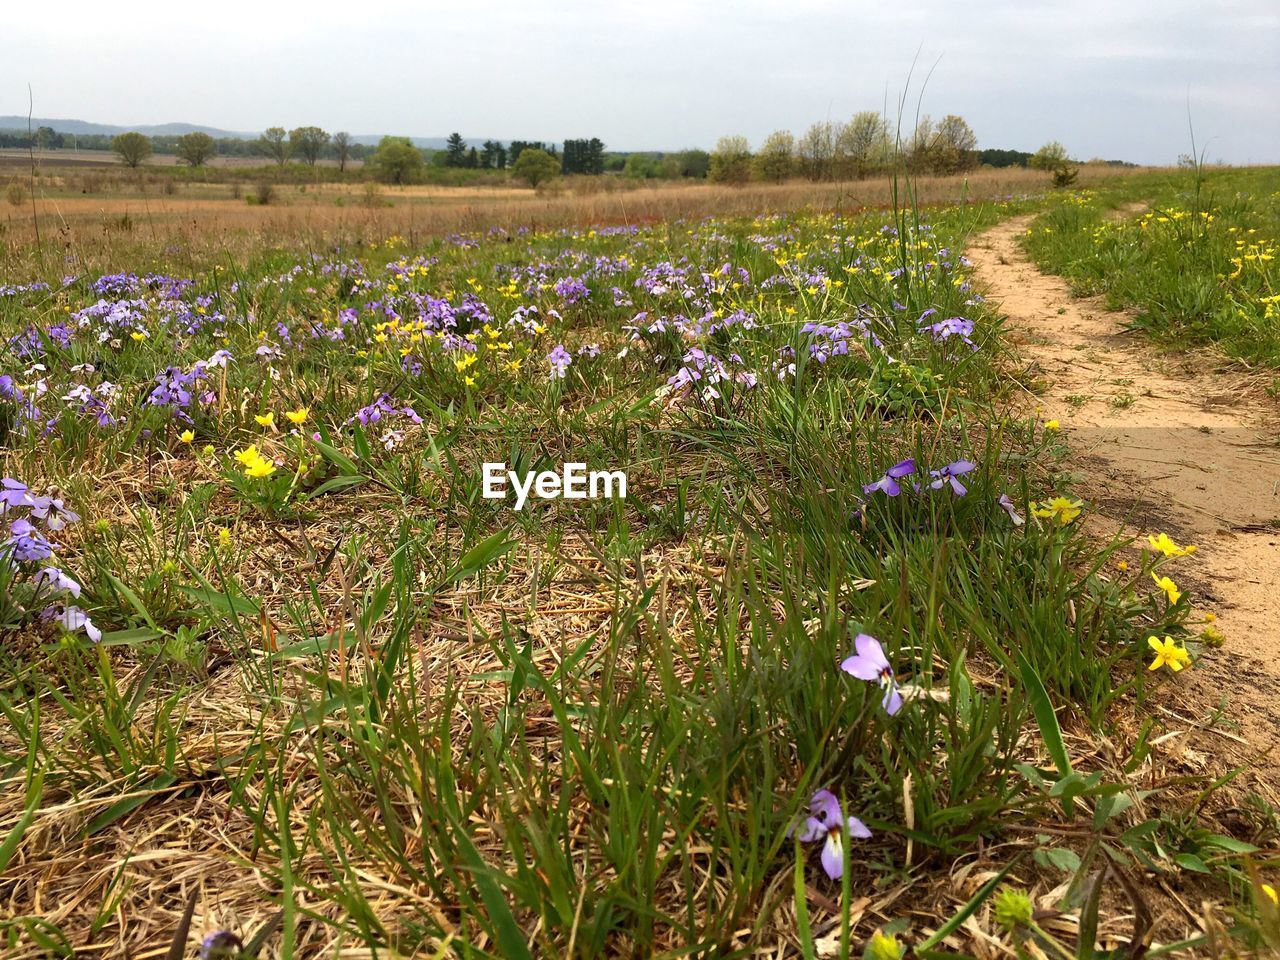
column 895, row 646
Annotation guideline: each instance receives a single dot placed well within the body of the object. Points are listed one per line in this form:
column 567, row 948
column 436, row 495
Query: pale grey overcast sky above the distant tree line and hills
column 1108, row 77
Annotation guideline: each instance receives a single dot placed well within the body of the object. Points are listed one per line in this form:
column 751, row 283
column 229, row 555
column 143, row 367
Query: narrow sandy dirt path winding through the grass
column 1164, row 442
